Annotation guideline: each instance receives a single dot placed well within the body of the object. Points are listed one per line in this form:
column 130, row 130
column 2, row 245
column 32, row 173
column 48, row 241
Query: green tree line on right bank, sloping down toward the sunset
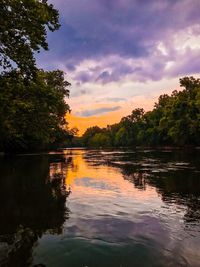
column 174, row 121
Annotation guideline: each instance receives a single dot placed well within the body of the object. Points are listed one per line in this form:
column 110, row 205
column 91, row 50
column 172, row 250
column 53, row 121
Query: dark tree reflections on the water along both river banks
column 33, row 192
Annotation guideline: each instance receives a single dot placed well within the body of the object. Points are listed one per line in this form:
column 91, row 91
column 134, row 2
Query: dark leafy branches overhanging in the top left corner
column 23, row 31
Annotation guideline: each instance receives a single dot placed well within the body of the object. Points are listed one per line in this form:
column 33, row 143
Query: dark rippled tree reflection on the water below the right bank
column 175, row 182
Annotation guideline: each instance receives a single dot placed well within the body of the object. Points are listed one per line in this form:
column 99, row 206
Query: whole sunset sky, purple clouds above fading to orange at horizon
column 122, row 54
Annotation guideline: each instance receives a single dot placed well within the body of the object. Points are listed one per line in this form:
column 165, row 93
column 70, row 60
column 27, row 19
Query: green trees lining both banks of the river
column 33, row 101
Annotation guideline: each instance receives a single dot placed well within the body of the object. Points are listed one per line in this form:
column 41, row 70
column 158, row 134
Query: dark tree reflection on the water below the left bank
column 33, row 201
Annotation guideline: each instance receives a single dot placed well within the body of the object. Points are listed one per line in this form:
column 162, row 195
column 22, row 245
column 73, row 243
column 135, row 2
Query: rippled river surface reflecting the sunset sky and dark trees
column 100, row 208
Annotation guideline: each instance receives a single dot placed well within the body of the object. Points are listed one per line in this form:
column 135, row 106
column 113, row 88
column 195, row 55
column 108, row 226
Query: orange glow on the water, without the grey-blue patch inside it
column 81, row 169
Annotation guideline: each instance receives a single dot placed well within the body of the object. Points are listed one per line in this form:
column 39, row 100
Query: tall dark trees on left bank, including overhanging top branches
column 32, row 101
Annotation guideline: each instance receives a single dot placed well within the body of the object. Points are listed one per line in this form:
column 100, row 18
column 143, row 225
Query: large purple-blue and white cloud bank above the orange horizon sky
column 141, row 37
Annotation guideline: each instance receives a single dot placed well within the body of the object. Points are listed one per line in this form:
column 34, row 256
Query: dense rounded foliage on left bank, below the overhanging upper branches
column 32, row 113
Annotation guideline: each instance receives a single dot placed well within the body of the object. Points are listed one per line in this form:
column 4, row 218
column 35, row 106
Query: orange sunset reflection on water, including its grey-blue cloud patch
column 86, row 178
